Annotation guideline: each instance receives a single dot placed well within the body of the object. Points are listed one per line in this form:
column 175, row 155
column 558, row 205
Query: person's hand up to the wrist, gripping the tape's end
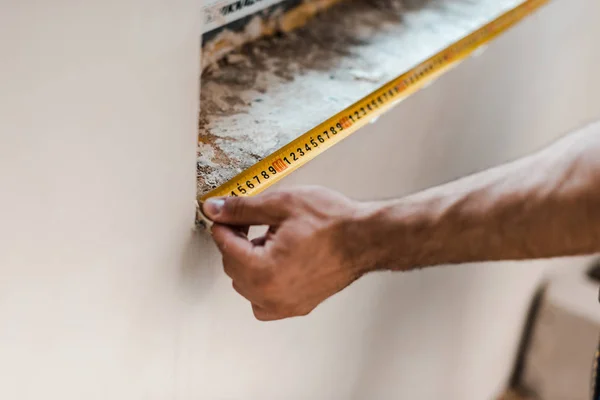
column 308, row 253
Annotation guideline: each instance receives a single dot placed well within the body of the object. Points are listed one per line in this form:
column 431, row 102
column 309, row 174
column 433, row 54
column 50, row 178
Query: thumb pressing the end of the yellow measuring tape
column 259, row 210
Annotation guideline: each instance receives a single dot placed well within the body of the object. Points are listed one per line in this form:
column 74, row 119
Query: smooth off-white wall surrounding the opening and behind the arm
column 105, row 293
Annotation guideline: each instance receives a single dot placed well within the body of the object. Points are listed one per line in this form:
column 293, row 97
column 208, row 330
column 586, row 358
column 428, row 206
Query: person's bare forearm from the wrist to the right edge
column 544, row 205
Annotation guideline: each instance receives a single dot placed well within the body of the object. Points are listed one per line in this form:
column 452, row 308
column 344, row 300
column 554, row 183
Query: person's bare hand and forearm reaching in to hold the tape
column 319, row 241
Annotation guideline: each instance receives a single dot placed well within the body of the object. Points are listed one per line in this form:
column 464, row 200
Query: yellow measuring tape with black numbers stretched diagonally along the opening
column 312, row 143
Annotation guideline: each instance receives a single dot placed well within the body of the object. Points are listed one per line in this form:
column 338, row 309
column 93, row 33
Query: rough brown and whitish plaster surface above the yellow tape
column 273, row 90
